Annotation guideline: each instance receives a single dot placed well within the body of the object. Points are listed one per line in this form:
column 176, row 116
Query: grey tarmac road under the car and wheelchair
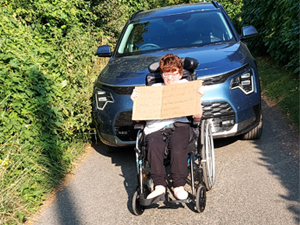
column 257, row 182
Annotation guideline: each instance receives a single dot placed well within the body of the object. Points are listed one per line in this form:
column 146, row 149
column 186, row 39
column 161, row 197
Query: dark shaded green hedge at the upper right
column 278, row 25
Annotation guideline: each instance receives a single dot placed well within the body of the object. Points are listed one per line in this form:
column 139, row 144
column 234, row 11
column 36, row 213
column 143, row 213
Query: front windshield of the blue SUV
column 176, row 31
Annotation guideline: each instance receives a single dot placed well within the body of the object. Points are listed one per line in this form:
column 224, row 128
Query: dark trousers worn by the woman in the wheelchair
column 178, row 142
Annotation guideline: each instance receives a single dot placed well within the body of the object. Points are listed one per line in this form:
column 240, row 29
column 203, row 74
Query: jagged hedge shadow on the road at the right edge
column 279, row 147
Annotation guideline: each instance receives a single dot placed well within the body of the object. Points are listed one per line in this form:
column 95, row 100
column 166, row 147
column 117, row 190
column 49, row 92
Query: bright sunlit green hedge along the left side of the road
column 46, row 65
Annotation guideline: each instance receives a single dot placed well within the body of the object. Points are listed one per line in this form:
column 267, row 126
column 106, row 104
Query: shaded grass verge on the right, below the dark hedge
column 281, row 87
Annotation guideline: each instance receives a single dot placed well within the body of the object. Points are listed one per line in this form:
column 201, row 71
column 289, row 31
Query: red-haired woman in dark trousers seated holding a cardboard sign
column 172, row 134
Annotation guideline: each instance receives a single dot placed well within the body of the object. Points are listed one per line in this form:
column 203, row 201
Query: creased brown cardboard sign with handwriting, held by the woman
column 167, row 101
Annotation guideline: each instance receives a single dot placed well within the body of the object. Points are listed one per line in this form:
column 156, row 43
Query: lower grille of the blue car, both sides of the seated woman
column 221, row 114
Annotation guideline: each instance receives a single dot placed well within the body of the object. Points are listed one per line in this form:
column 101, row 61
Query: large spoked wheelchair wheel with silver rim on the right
column 208, row 155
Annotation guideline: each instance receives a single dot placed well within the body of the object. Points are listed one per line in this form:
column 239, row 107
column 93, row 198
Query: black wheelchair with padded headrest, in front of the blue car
column 201, row 159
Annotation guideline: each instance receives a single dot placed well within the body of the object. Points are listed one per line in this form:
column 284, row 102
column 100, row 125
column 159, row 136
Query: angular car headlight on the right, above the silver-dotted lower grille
column 243, row 82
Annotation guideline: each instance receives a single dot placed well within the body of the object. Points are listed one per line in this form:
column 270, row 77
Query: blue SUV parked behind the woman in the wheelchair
column 232, row 101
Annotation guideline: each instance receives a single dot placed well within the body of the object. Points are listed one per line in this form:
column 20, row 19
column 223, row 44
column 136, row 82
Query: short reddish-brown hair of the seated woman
column 171, row 62
